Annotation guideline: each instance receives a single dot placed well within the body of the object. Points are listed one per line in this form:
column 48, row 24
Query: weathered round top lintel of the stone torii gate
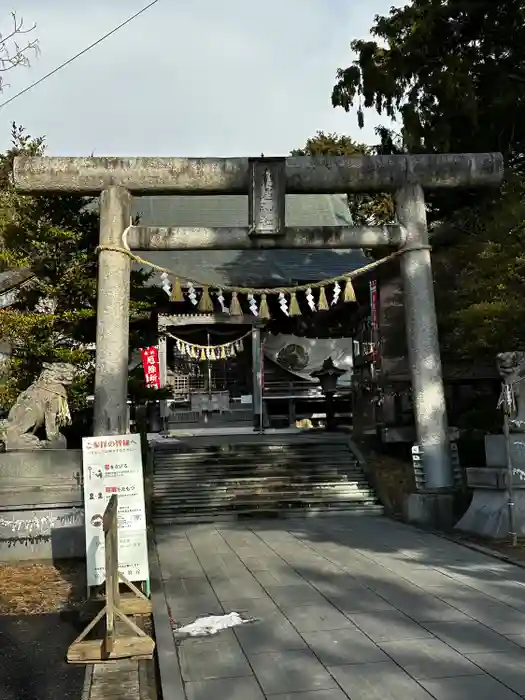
column 303, row 174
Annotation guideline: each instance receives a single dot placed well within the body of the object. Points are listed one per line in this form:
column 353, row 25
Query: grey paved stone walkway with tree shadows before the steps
column 356, row 607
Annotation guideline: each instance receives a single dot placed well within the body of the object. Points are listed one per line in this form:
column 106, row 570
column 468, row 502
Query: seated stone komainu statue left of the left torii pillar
column 41, row 405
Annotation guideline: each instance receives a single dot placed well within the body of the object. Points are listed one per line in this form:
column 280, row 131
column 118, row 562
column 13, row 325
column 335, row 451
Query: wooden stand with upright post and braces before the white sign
column 112, row 646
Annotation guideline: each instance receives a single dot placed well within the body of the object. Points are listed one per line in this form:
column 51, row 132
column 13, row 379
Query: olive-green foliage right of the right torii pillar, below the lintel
column 480, row 279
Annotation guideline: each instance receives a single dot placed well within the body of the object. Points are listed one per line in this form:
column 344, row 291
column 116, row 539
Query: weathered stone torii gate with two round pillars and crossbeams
column 266, row 181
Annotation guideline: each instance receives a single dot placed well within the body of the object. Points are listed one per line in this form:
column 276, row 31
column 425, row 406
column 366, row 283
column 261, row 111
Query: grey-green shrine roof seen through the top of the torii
column 250, row 268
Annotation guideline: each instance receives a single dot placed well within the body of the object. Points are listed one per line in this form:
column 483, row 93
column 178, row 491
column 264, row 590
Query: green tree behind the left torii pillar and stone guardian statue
column 54, row 317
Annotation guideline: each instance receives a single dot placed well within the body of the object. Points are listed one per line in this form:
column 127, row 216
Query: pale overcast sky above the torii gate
column 188, row 77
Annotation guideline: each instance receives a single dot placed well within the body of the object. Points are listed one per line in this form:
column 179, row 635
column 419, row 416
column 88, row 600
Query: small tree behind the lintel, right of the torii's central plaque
column 372, row 210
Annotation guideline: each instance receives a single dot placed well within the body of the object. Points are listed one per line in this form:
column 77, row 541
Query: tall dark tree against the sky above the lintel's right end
column 452, row 71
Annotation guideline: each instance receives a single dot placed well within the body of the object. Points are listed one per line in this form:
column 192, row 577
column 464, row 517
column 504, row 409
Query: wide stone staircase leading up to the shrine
column 212, row 478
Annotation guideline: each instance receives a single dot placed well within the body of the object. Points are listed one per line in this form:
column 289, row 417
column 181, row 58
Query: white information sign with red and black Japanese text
column 113, row 464
